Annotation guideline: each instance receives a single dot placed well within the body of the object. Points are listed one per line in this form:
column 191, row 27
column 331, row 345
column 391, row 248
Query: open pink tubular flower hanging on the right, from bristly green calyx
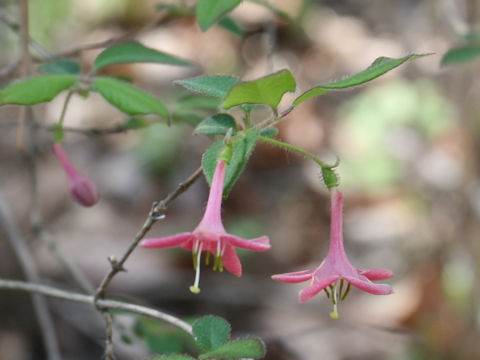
column 335, row 269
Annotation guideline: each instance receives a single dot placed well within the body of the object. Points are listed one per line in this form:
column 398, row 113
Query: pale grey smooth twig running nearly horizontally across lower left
column 90, row 300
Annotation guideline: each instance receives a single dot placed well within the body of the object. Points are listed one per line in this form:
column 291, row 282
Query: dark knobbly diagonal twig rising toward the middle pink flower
column 156, row 213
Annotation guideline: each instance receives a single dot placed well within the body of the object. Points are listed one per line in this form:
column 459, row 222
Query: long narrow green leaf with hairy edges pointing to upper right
column 379, row 67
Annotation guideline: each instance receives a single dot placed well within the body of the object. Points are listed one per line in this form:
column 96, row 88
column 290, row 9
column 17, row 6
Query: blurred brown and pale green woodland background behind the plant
column 408, row 144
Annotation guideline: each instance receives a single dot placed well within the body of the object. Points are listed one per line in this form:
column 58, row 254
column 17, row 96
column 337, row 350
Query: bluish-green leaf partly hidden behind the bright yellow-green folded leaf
column 214, row 85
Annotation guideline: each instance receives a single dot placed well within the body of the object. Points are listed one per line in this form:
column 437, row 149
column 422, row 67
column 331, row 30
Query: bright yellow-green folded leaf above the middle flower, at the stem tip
column 266, row 90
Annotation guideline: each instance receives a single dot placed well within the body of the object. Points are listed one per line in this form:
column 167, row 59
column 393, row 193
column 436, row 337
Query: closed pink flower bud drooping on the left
column 83, row 190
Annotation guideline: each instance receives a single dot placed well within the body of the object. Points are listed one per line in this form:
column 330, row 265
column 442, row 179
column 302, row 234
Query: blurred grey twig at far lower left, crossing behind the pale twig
column 28, row 266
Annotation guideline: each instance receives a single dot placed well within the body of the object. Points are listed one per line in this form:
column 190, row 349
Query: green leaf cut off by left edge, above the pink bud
column 36, row 89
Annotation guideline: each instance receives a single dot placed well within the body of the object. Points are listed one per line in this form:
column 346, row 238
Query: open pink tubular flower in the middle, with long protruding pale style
column 210, row 236
